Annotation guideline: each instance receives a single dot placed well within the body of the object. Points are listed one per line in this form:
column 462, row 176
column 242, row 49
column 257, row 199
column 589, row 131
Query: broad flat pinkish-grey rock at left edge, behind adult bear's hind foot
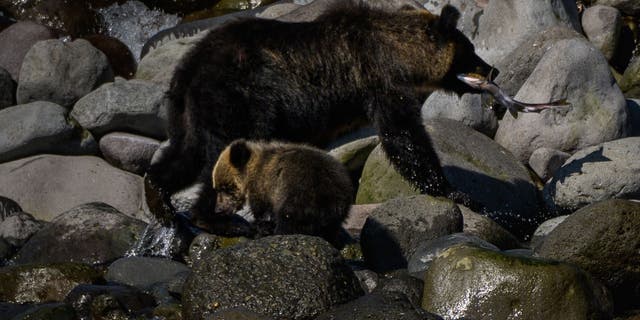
column 56, row 184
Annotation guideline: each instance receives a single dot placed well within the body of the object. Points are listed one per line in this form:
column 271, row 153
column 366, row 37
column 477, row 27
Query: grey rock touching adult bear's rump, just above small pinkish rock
column 134, row 106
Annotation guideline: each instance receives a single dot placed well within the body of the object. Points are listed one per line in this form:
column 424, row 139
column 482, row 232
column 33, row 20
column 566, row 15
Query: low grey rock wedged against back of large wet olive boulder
column 427, row 251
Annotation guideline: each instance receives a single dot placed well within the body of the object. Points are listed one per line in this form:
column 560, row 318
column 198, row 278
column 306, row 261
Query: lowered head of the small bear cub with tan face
column 229, row 177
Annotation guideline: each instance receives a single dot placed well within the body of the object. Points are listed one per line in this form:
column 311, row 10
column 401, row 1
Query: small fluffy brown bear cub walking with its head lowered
column 290, row 188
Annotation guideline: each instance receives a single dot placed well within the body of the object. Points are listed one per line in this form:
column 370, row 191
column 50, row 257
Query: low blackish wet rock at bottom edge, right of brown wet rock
column 110, row 302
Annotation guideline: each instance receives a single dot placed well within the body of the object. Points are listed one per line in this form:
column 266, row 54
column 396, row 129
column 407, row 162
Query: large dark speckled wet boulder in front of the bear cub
column 292, row 277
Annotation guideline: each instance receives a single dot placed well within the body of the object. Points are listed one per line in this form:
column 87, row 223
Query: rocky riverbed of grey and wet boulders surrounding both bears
column 81, row 117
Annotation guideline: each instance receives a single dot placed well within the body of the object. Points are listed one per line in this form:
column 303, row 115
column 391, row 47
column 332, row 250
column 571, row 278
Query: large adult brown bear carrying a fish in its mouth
column 308, row 82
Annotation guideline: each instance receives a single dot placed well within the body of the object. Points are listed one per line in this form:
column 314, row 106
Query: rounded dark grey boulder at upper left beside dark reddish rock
column 61, row 72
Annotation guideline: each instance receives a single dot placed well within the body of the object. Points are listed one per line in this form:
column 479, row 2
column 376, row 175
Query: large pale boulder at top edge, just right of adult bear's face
column 506, row 24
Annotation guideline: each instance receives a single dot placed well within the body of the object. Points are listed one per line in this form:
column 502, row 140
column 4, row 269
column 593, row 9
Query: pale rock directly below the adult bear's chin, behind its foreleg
column 467, row 109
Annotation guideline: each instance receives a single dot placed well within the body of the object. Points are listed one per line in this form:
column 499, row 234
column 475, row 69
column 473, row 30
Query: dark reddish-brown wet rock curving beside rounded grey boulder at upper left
column 121, row 60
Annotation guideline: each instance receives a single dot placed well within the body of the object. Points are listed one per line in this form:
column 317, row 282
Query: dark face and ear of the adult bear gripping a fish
column 460, row 51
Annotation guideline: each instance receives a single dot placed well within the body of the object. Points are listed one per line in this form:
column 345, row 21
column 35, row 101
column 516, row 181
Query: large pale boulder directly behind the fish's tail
column 575, row 70
